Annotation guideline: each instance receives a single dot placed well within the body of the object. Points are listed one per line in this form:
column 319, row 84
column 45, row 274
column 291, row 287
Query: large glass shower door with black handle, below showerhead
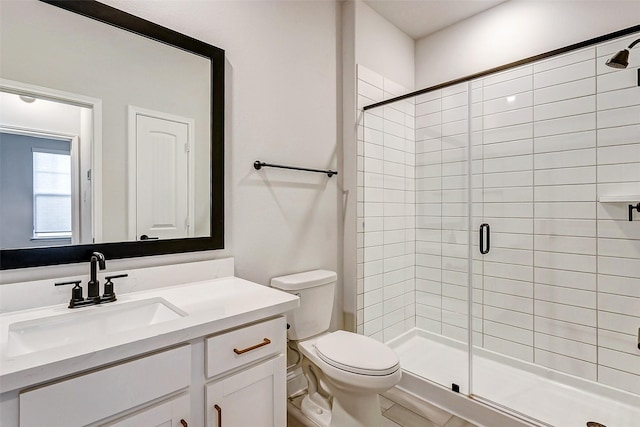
column 558, row 331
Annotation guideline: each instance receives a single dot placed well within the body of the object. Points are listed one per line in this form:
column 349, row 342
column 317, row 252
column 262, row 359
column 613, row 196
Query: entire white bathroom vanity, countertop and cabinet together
column 226, row 347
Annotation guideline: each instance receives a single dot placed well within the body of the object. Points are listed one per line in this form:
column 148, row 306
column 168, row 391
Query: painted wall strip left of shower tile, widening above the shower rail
column 370, row 41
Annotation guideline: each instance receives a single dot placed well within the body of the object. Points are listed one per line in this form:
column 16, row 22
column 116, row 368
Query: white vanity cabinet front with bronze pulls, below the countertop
column 244, row 384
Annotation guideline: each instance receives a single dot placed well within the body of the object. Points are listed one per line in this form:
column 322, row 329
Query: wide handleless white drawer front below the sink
column 92, row 397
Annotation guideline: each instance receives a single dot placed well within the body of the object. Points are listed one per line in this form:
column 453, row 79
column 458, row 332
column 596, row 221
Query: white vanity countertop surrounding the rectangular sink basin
column 209, row 307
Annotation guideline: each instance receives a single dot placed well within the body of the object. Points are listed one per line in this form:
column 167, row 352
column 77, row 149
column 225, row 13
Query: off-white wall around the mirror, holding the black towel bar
column 281, row 107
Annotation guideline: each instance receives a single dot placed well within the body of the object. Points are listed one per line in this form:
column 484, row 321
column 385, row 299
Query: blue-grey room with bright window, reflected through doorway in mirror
column 38, row 198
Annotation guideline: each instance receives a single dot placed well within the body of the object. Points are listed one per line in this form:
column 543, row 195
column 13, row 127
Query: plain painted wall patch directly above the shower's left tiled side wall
column 382, row 47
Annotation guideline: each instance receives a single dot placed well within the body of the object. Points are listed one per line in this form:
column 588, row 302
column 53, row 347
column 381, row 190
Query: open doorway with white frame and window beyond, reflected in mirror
column 46, row 149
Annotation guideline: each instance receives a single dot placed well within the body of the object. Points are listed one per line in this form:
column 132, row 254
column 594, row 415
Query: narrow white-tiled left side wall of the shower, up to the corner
column 386, row 205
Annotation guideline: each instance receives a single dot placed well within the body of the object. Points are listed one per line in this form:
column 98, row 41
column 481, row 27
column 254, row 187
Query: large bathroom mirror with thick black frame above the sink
column 125, row 117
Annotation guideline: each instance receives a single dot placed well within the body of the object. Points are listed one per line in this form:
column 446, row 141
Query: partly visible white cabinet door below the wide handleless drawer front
column 173, row 413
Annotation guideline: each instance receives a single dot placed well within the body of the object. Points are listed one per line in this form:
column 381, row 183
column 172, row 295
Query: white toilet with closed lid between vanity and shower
column 345, row 371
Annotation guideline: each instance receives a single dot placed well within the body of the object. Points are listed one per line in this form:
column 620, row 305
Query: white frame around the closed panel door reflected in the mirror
column 132, row 159
